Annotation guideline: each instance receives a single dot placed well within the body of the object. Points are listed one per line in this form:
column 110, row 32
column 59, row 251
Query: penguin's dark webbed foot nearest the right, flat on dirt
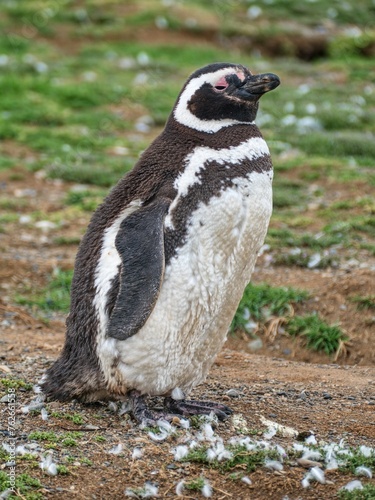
column 187, row 408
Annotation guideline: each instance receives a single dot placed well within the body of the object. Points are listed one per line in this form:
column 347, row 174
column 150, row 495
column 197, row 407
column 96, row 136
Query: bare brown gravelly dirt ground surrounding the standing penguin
column 282, row 382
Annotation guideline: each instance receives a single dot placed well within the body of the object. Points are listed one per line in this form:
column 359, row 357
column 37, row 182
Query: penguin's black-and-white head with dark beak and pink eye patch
column 220, row 95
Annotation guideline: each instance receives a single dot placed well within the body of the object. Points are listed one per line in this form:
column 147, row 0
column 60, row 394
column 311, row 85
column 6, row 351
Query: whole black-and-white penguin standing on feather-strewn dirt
column 166, row 257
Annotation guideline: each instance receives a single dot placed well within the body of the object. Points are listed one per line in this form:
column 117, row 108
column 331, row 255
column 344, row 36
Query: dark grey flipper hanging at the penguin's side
column 140, row 244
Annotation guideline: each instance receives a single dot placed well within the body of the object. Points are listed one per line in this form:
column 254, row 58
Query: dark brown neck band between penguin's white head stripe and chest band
column 231, row 135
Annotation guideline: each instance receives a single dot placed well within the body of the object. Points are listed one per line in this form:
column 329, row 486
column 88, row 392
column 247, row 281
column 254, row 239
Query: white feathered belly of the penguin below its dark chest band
column 202, row 287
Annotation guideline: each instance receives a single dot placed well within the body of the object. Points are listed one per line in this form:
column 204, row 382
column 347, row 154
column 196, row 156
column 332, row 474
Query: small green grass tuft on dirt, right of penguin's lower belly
column 319, row 335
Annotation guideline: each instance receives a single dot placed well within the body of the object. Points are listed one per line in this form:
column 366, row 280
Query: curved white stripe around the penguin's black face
column 183, row 115
